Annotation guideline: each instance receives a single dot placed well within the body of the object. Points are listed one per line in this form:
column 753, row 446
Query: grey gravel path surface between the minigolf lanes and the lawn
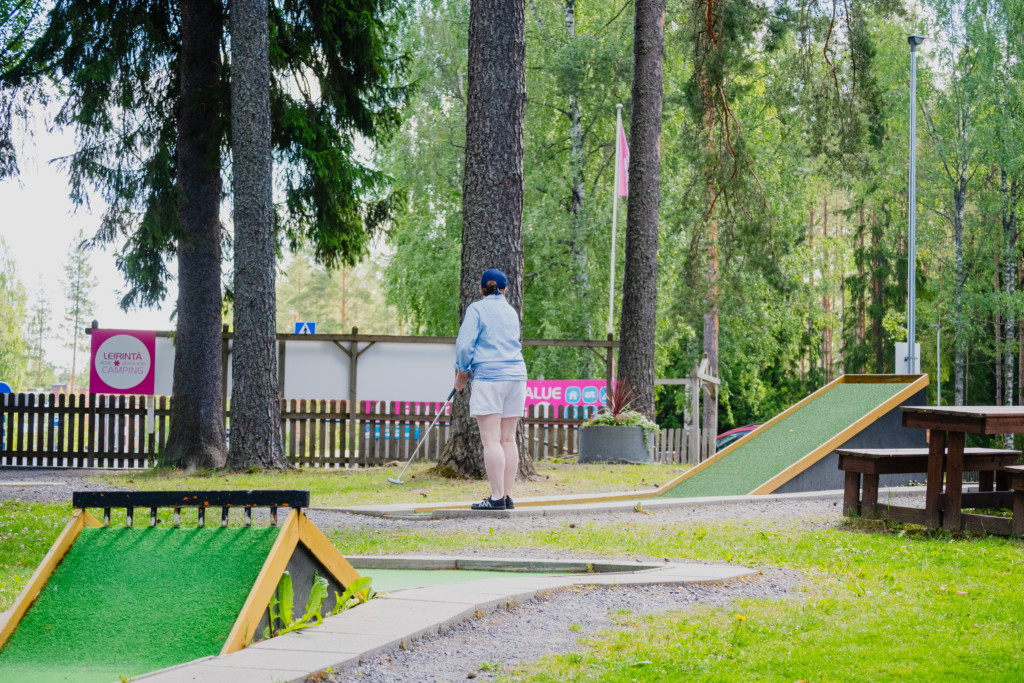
column 483, row 648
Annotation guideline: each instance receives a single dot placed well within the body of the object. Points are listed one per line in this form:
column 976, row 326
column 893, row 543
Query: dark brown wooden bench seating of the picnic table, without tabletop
column 863, row 467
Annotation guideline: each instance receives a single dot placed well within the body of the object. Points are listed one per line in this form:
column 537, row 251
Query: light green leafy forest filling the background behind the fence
column 788, row 193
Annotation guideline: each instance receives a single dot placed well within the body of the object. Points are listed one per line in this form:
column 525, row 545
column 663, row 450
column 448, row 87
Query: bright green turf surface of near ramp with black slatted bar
column 126, row 602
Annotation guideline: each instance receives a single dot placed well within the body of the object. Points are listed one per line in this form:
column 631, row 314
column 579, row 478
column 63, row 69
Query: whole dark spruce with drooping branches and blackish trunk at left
column 147, row 94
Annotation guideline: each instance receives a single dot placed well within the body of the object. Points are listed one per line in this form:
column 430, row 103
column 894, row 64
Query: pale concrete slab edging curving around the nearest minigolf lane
column 401, row 617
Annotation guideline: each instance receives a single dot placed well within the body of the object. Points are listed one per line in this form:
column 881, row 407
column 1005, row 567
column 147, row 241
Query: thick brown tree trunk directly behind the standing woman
column 492, row 219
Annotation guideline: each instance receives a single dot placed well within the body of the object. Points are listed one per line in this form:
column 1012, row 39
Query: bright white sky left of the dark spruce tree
column 39, row 224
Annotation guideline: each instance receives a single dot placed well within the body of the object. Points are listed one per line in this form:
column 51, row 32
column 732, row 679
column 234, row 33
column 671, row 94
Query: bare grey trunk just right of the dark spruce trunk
column 255, row 401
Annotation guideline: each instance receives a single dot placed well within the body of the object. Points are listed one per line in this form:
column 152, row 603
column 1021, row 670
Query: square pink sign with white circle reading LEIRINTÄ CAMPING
column 123, row 362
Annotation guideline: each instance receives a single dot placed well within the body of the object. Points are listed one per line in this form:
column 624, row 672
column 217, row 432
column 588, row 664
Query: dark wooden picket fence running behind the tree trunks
column 79, row 431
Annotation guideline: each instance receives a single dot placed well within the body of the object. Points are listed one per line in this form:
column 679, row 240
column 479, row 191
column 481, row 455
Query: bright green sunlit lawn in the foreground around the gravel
column 881, row 604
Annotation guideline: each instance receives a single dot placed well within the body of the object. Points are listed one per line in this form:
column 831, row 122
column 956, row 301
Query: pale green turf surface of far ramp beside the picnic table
column 782, row 445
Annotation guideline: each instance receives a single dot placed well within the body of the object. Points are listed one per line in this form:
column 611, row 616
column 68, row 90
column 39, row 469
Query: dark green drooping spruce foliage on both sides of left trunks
column 336, row 80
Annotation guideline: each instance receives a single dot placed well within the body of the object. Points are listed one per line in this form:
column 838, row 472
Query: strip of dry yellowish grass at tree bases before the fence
column 370, row 486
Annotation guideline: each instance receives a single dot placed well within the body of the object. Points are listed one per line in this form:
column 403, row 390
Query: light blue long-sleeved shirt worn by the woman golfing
column 489, row 341
